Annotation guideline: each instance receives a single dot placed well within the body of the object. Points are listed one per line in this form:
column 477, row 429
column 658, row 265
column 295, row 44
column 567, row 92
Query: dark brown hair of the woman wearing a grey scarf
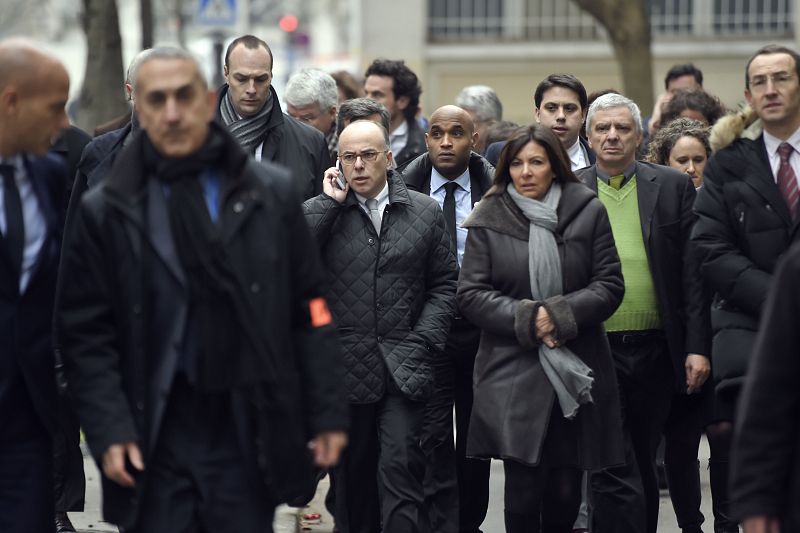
column 544, row 137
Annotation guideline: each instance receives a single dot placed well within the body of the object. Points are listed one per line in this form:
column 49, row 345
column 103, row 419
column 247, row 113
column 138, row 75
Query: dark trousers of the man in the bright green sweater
column 625, row 498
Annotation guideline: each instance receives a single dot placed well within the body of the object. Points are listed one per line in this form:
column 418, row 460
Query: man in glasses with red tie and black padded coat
column 747, row 219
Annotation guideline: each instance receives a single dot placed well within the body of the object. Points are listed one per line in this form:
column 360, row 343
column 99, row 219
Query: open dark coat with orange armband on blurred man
column 121, row 345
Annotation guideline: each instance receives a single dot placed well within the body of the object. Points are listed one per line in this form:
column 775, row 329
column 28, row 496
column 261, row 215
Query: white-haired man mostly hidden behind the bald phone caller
column 311, row 97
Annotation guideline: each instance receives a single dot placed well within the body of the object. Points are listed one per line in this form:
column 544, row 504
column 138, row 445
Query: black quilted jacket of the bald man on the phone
column 392, row 297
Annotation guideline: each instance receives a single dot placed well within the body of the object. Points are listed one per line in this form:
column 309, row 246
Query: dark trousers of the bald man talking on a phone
column 378, row 481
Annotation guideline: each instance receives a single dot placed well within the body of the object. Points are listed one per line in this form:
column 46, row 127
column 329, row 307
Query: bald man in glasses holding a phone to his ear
column 392, row 271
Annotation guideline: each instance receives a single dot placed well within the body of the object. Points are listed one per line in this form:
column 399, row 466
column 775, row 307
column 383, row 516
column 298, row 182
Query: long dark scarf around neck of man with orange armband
column 230, row 351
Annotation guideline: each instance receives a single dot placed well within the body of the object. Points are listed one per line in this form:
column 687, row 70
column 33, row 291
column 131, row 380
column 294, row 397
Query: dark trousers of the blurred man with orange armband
column 196, row 480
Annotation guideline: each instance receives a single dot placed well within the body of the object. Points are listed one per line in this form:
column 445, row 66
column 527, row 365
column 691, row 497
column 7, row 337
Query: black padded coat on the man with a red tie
column 743, row 227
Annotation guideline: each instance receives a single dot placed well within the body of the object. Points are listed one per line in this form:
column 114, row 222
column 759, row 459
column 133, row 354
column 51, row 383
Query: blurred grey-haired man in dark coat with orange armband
column 197, row 343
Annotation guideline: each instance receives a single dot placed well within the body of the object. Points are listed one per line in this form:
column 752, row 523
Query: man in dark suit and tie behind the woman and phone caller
column 456, row 488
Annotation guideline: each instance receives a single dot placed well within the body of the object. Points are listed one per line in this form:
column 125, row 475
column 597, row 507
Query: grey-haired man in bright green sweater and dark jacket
column 658, row 335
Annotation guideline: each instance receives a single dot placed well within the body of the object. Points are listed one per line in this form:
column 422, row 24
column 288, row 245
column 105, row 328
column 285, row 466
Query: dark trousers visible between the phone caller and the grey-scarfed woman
column 456, row 488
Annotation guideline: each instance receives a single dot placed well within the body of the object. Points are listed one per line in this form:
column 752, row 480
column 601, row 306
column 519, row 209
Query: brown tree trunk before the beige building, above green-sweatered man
column 628, row 27
